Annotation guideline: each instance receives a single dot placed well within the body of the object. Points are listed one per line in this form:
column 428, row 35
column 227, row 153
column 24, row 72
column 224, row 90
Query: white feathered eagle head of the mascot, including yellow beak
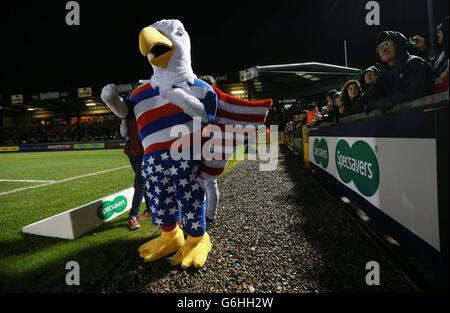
column 167, row 46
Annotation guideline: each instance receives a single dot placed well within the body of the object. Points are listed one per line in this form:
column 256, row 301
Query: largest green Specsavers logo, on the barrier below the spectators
column 358, row 163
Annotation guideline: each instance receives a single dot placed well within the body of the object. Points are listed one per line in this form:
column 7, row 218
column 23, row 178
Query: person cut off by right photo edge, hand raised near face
column 440, row 61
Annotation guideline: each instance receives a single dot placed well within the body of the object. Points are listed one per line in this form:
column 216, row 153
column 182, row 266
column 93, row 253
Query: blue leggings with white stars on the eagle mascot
column 173, row 192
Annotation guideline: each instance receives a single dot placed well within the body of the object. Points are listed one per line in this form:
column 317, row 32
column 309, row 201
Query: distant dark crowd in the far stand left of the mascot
column 98, row 129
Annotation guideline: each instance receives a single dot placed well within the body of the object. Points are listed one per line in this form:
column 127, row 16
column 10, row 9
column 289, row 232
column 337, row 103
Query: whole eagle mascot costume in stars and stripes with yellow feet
column 174, row 97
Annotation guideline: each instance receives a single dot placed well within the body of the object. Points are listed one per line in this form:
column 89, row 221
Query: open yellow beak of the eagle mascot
column 157, row 44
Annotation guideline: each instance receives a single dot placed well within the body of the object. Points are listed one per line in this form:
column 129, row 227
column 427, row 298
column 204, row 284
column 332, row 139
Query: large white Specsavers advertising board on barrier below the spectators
column 396, row 175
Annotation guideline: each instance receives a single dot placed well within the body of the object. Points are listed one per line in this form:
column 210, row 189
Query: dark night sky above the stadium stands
column 42, row 53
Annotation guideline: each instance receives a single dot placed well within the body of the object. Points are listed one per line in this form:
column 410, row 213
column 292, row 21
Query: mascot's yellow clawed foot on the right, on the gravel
column 194, row 252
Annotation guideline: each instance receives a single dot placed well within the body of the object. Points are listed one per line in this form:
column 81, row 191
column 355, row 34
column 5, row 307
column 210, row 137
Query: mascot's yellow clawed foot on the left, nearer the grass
column 168, row 243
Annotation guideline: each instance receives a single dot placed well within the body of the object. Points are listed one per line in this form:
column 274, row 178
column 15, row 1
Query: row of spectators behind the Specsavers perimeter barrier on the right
column 400, row 76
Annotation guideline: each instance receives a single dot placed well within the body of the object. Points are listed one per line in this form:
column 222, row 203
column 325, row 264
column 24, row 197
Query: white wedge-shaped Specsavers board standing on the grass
column 76, row 222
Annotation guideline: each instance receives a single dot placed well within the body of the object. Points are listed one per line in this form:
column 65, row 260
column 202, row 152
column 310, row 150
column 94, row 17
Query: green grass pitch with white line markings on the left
column 37, row 264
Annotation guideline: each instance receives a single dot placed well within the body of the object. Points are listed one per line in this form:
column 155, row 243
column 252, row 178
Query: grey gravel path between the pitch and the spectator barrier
column 277, row 232
